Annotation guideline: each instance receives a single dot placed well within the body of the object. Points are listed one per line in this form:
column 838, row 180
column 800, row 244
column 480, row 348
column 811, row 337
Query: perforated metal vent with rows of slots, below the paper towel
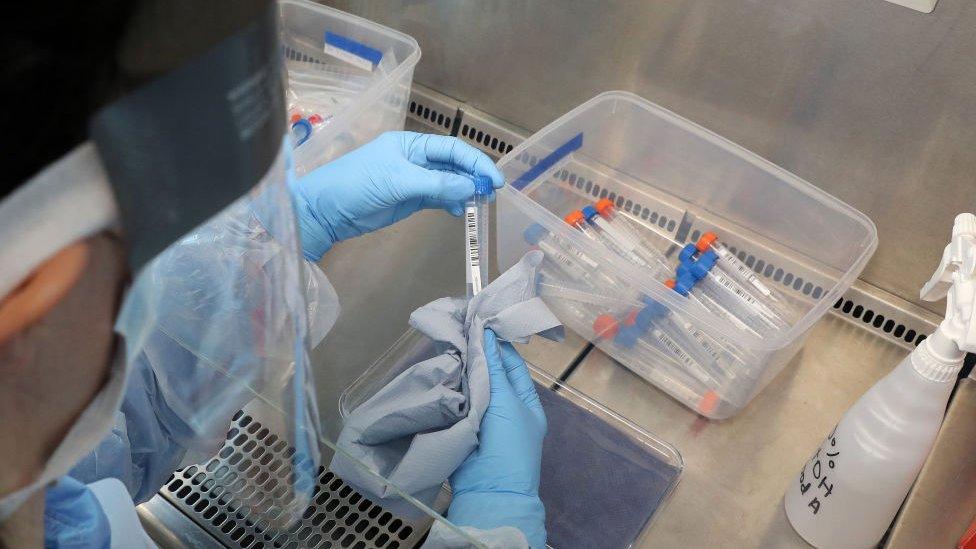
column 223, row 495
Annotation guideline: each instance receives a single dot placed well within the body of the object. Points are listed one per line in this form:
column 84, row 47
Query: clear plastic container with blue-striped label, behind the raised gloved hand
column 348, row 78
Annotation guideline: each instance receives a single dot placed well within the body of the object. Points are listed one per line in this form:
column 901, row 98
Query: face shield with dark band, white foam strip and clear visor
column 192, row 166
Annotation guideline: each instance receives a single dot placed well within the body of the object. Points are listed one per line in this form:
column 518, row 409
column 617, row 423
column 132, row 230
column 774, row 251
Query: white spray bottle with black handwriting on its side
column 848, row 493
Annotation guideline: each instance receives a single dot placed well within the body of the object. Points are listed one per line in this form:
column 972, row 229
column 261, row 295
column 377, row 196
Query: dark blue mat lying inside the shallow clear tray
column 599, row 486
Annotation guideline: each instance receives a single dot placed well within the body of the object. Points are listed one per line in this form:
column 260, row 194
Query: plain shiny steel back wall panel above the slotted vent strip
column 871, row 102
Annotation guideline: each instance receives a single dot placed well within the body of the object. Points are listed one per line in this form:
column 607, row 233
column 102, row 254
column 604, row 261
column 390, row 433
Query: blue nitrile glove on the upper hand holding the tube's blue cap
column 383, row 182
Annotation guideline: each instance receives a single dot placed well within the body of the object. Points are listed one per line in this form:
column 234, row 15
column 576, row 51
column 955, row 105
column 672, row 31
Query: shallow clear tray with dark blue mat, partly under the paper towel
column 570, row 515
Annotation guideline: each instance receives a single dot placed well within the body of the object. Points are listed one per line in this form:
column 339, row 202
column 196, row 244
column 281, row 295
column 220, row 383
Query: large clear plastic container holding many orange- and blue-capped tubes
column 673, row 182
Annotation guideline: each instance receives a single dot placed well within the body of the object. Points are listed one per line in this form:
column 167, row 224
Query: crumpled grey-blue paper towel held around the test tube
column 417, row 430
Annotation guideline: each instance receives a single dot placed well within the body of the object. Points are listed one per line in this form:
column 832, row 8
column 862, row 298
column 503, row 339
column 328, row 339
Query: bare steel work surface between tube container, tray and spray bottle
column 737, row 470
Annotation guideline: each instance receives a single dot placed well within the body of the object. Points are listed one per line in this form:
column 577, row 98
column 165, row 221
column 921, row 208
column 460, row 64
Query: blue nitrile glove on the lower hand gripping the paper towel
column 498, row 484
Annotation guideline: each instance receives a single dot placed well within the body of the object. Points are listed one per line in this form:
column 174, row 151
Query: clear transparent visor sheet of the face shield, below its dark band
column 224, row 318
